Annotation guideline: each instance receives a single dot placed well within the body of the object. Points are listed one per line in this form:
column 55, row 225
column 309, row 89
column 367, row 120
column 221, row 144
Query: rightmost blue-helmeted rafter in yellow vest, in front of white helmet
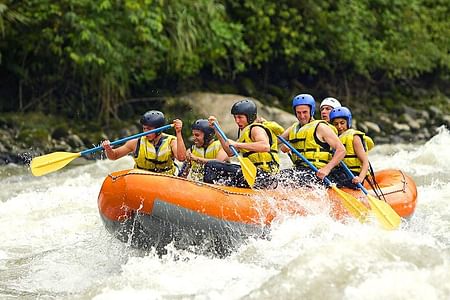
column 356, row 143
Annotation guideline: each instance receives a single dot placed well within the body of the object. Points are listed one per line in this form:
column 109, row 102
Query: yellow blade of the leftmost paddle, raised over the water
column 48, row 163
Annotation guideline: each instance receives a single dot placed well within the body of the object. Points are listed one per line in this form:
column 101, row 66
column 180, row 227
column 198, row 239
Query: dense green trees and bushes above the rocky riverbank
column 94, row 59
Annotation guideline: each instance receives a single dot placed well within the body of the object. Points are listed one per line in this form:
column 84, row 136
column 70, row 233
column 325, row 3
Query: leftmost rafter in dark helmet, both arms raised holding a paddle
column 155, row 152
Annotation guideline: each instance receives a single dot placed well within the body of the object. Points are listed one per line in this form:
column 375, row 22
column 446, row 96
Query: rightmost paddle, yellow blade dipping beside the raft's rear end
column 385, row 214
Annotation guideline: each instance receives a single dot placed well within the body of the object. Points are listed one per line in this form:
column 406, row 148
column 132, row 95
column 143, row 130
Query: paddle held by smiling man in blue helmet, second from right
column 353, row 205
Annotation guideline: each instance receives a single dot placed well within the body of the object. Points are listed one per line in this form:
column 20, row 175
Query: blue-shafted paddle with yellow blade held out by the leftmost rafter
column 48, row 163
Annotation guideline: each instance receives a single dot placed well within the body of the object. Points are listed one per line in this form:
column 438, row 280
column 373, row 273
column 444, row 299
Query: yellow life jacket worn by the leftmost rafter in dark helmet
column 156, row 158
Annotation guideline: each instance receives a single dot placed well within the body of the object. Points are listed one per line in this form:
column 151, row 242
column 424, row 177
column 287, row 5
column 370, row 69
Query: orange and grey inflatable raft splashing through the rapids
column 147, row 209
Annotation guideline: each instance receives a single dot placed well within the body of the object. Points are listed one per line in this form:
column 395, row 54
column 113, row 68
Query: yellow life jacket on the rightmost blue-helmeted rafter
column 350, row 159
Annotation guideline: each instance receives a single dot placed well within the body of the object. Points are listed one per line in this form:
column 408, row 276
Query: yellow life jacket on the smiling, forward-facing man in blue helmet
column 304, row 139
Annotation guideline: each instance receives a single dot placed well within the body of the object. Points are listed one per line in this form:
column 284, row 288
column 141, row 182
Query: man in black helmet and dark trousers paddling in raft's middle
column 256, row 142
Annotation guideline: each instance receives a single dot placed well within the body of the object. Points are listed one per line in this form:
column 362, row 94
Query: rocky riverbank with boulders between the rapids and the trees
column 23, row 136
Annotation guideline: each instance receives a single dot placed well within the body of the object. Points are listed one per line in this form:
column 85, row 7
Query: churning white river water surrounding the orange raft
column 53, row 244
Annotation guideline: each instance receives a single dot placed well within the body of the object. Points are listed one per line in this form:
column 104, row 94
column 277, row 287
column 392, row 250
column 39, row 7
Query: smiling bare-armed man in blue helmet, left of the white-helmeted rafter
column 315, row 140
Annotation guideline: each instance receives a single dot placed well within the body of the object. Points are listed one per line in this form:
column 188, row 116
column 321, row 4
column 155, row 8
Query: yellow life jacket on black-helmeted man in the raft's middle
column 266, row 161
